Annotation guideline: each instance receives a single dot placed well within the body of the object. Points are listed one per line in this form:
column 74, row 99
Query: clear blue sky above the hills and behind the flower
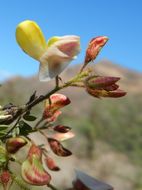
column 120, row 20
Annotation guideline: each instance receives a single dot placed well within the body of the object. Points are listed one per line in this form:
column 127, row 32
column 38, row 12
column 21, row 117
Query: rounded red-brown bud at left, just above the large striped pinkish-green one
column 14, row 144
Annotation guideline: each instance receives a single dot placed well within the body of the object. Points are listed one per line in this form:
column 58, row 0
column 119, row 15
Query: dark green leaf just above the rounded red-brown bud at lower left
column 24, row 128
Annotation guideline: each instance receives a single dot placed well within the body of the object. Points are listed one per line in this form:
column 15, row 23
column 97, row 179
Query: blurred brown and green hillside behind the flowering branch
column 108, row 131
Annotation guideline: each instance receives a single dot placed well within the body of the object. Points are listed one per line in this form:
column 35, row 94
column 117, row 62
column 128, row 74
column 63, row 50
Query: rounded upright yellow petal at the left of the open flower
column 30, row 38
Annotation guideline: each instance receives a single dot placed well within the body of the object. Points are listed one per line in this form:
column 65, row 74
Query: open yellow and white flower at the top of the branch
column 54, row 56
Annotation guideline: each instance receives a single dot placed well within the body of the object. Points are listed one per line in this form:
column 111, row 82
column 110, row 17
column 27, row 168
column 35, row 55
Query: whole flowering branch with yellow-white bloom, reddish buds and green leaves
column 53, row 57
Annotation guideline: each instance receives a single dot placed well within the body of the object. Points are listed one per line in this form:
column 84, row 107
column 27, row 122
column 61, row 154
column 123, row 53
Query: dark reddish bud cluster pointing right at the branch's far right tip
column 103, row 87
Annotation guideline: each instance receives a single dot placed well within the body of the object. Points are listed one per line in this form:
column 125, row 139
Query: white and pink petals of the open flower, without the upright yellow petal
column 57, row 56
